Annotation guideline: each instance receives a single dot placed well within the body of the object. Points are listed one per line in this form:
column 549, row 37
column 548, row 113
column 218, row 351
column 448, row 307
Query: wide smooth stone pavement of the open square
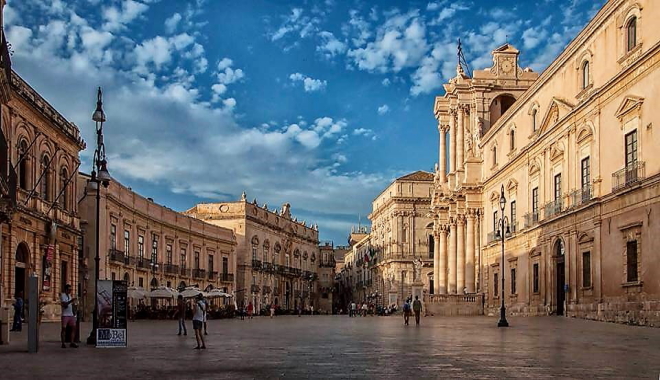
column 326, row 347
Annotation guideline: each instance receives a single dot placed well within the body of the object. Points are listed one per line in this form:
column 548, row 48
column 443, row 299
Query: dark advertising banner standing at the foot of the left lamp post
column 112, row 313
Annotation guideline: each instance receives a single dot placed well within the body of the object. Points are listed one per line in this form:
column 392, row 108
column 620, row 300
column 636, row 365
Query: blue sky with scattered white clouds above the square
column 317, row 103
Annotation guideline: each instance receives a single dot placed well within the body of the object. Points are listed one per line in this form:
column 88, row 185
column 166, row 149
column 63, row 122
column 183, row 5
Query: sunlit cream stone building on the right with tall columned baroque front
column 572, row 152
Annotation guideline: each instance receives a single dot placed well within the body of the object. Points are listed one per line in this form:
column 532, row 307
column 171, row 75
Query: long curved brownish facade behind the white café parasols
column 149, row 245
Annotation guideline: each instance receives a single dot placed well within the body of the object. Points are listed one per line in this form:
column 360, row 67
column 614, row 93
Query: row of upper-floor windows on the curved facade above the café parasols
column 183, row 256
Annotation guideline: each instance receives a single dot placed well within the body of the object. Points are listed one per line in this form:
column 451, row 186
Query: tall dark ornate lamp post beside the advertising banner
column 100, row 176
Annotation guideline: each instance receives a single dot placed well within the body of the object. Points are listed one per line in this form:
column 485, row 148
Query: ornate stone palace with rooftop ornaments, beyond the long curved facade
column 277, row 256
